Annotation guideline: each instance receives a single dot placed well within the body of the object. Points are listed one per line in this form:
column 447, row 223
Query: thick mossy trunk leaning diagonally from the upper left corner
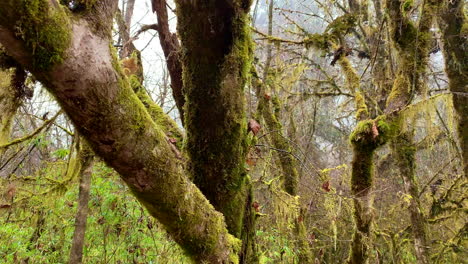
column 86, row 80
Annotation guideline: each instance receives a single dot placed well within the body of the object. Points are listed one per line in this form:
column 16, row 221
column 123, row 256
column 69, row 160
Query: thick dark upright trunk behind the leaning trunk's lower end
column 216, row 60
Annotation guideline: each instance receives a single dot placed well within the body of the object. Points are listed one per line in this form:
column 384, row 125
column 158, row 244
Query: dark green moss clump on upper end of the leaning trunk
column 45, row 30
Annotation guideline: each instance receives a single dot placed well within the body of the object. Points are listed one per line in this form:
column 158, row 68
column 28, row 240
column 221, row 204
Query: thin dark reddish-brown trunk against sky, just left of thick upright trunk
column 171, row 48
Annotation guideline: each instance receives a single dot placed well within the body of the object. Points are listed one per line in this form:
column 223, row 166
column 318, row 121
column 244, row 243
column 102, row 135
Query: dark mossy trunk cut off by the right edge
column 453, row 24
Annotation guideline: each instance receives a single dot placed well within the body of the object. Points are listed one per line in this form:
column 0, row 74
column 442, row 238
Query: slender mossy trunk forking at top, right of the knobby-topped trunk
column 412, row 43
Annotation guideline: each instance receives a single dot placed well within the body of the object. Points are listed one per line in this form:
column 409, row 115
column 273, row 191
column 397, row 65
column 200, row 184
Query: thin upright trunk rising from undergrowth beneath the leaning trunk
column 85, row 164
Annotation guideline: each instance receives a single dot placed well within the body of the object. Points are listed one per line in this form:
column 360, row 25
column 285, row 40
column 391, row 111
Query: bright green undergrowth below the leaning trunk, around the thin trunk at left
column 119, row 230
